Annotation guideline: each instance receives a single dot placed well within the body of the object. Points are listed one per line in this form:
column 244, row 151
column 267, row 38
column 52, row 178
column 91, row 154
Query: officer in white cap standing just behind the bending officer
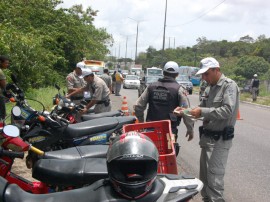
column 75, row 81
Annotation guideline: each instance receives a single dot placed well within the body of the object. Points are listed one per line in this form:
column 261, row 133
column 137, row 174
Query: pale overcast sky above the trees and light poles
column 187, row 20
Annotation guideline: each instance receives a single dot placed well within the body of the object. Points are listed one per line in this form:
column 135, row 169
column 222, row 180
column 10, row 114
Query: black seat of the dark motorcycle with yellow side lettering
column 94, row 126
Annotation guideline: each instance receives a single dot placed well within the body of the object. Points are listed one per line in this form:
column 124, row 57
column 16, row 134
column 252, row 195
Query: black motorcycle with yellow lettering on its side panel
column 50, row 134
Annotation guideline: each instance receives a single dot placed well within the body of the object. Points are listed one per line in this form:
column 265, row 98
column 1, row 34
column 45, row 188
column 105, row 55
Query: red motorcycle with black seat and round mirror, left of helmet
column 53, row 174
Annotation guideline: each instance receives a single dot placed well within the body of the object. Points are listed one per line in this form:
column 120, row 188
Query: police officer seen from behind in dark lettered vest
column 163, row 97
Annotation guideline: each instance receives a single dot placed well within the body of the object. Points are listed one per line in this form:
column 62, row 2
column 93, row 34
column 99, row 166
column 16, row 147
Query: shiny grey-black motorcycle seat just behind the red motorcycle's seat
column 79, row 152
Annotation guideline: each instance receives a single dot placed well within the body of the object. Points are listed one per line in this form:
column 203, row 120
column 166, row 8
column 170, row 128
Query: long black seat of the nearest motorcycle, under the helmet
column 98, row 191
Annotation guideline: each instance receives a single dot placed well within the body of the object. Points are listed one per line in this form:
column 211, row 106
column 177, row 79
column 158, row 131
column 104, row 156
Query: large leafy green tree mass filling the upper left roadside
column 44, row 43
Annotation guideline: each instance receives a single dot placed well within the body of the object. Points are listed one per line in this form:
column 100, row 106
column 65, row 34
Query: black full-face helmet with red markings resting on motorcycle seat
column 132, row 162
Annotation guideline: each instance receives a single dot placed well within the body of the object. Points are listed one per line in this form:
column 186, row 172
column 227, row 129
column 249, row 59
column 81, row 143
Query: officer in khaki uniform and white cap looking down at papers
column 219, row 107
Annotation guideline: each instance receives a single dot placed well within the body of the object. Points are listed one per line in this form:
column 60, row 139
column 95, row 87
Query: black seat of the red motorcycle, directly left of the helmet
column 76, row 172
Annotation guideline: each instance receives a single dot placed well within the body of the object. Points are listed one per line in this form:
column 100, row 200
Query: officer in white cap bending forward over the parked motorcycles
column 98, row 90
